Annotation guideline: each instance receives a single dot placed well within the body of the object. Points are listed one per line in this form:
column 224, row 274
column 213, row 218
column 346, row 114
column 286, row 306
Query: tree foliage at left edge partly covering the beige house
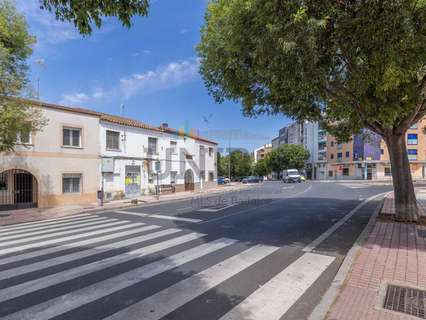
column 16, row 116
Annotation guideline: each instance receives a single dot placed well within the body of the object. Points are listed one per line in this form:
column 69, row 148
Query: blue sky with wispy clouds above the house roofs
column 151, row 68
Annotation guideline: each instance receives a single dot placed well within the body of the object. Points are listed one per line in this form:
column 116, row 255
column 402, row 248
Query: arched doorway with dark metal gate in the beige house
column 18, row 190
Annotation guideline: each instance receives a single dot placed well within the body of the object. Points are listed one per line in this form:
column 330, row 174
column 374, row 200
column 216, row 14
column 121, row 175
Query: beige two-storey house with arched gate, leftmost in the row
column 55, row 166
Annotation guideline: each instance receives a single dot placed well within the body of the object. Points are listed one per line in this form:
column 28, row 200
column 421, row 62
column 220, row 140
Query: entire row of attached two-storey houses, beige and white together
column 80, row 151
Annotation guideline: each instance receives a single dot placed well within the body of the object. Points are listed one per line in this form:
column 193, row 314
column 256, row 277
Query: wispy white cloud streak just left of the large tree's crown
column 163, row 77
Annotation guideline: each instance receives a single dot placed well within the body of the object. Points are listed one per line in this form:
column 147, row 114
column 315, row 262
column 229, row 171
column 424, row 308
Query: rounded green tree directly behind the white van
column 287, row 156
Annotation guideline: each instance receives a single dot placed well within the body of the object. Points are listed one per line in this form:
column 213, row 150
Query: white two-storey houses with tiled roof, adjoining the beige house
column 135, row 151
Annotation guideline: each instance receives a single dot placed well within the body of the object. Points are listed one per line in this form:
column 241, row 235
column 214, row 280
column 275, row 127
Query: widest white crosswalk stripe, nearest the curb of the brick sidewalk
column 274, row 299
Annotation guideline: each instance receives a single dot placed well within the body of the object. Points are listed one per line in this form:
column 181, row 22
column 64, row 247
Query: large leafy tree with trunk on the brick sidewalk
column 350, row 64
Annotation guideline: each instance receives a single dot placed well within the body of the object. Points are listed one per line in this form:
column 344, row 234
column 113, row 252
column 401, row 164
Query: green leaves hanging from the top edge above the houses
column 86, row 13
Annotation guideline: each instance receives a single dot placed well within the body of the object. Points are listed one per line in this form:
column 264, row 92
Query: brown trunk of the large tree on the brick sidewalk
column 405, row 197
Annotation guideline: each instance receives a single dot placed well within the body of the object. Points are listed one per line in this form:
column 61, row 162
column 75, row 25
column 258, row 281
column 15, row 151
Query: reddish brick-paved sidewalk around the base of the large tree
column 394, row 253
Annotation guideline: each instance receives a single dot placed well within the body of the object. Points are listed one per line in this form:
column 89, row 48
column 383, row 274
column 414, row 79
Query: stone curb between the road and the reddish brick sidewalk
column 321, row 311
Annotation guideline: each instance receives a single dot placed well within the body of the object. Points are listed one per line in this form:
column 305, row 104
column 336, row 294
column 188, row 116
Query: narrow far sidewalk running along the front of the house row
column 34, row 214
